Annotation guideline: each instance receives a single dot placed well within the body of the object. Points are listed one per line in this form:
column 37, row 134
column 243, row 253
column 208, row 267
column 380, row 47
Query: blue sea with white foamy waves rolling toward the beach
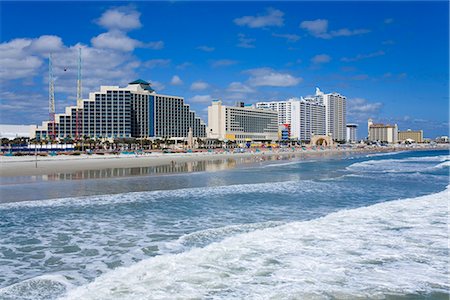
column 370, row 226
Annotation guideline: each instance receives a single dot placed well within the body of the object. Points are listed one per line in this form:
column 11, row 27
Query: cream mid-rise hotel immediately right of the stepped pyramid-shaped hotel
column 241, row 123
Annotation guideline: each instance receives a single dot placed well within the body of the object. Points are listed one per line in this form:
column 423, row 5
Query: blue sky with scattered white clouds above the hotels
column 391, row 59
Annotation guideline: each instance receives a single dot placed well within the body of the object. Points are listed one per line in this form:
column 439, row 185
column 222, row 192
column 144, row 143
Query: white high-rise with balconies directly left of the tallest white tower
column 308, row 118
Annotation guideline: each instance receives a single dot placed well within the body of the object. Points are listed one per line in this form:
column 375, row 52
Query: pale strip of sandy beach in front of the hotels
column 41, row 166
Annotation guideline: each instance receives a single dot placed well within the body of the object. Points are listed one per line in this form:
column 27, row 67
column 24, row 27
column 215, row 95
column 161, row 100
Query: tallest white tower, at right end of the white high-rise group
column 335, row 109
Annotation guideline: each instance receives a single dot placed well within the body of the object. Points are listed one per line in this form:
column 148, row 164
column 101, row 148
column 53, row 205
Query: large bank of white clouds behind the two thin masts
column 107, row 61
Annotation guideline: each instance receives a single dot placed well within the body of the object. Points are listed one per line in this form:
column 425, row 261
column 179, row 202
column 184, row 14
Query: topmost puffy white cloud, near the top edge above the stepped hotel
column 122, row 18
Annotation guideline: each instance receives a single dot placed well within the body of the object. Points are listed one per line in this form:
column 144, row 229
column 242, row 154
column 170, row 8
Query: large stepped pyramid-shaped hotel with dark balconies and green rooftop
column 134, row 111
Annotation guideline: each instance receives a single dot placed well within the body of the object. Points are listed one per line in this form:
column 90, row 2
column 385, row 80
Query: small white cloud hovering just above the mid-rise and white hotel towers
column 270, row 77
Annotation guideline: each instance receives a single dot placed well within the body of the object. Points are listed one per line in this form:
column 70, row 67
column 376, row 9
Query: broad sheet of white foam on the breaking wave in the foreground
column 392, row 248
